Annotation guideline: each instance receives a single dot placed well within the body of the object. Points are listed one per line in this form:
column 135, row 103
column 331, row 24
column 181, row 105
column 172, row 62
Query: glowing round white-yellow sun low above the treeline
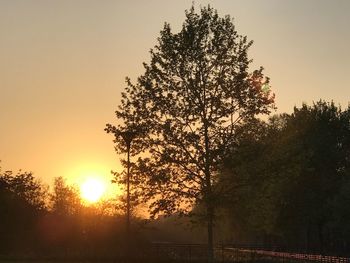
column 92, row 189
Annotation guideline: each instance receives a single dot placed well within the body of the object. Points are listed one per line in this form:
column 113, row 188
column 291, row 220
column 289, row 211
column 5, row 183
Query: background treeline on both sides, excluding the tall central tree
column 285, row 183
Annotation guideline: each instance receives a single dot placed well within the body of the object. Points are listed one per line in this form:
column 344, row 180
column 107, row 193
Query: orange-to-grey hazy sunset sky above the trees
column 63, row 66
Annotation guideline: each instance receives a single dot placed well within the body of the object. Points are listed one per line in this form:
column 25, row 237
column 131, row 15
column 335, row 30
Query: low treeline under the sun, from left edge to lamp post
column 37, row 223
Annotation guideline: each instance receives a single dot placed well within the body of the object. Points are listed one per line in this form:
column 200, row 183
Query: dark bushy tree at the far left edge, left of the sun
column 23, row 200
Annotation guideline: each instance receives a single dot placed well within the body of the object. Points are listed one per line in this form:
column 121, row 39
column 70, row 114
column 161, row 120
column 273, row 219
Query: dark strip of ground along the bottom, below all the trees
column 188, row 253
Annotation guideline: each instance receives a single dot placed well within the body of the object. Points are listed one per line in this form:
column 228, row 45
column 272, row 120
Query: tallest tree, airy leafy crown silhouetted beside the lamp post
column 194, row 92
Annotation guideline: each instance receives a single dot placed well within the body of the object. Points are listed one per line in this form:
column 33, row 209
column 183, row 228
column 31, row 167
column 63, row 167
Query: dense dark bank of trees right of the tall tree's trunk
column 286, row 181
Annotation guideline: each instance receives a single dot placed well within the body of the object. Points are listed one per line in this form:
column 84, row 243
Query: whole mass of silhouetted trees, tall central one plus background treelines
column 201, row 151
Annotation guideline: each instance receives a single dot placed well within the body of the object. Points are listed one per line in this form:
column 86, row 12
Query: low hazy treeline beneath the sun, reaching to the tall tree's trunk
column 39, row 222
